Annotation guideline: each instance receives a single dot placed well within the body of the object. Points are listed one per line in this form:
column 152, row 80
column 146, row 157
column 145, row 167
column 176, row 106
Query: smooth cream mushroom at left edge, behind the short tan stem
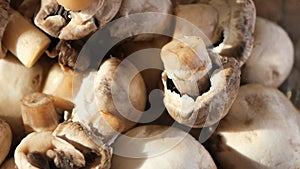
column 14, row 87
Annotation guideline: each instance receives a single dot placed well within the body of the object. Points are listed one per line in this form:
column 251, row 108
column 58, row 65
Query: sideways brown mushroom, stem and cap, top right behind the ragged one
column 235, row 19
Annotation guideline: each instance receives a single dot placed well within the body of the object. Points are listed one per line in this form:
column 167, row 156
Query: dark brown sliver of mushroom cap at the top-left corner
column 4, row 6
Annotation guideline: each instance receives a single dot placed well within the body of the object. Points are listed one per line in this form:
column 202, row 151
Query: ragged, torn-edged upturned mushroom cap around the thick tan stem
column 211, row 106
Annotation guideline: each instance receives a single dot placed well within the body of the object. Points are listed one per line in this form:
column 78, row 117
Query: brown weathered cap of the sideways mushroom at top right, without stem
column 237, row 18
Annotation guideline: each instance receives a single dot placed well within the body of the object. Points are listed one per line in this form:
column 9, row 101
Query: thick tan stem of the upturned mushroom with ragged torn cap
column 187, row 63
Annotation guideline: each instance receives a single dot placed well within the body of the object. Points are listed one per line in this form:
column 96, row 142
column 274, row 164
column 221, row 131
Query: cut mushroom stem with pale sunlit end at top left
column 24, row 40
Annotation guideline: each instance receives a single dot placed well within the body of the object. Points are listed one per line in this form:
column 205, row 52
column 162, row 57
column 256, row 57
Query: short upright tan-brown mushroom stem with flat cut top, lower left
column 38, row 113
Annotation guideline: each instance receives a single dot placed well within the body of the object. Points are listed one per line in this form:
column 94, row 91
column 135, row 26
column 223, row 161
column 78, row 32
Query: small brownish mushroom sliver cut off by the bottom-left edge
column 5, row 140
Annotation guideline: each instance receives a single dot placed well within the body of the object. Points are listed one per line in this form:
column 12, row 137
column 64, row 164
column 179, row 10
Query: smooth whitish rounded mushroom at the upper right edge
column 272, row 57
